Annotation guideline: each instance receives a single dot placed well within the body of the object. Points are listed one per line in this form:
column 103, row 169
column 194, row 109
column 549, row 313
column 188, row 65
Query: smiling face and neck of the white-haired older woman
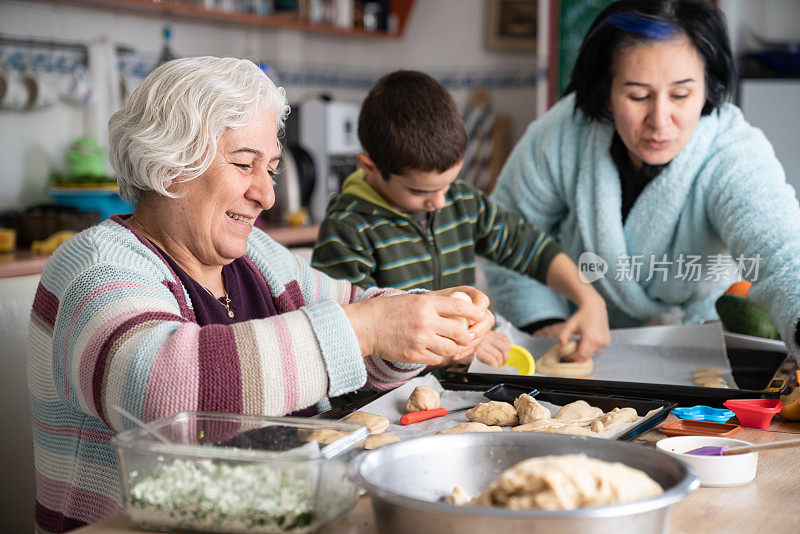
column 217, row 212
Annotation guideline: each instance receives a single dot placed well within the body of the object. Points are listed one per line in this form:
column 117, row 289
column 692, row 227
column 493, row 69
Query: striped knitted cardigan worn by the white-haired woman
column 111, row 324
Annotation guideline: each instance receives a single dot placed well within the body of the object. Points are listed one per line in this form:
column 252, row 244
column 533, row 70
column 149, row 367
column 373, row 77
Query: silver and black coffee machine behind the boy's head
column 325, row 132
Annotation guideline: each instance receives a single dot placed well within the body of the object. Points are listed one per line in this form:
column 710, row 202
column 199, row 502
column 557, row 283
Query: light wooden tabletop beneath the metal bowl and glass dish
column 771, row 503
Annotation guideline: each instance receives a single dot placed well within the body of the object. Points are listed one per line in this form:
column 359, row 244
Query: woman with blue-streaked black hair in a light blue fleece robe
column 658, row 188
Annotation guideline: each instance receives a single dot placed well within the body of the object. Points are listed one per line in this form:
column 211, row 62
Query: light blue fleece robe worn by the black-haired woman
column 724, row 194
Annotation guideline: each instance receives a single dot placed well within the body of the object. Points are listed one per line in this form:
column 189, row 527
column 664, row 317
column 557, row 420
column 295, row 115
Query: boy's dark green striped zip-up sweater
column 369, row 243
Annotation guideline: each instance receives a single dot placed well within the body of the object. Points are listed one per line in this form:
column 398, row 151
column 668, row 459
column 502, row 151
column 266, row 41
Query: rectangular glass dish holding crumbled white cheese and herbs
column 237, row 473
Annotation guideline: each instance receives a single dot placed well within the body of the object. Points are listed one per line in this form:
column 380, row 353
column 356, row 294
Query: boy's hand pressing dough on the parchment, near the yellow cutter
column 590, row 323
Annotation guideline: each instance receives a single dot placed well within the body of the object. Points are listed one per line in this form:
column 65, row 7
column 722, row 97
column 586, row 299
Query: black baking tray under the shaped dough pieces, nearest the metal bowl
column 507, row 392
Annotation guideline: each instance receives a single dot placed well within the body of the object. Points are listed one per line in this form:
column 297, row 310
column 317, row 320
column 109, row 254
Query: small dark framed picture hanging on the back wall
column 511, row 25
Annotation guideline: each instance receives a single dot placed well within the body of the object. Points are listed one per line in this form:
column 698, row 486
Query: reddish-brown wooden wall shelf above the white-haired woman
column 183, row 9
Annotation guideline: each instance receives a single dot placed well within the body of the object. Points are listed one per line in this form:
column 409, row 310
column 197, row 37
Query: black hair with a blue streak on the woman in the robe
column 628, row 22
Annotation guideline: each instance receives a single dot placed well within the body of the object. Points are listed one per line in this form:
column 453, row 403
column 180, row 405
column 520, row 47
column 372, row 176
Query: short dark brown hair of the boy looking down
column 410, row 122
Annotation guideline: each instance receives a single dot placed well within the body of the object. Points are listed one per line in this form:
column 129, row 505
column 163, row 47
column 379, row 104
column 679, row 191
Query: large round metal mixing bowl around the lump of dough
column 408, row 481
